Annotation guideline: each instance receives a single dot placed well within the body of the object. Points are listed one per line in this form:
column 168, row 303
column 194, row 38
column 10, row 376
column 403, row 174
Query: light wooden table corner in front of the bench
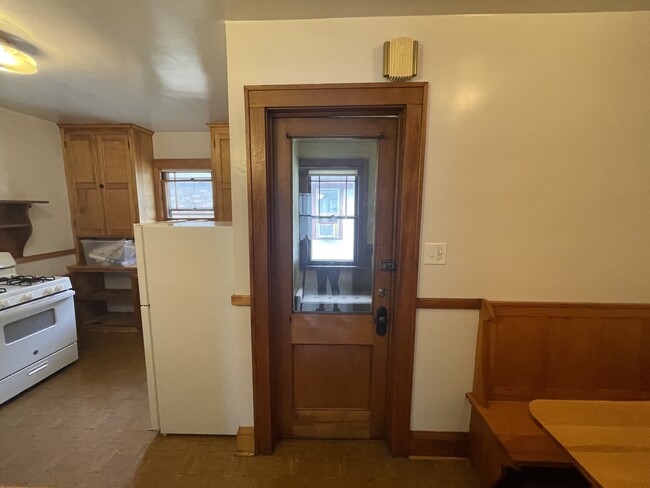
column 609, row 441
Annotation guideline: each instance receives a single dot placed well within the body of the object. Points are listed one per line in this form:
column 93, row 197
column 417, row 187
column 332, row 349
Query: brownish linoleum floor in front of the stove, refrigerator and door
column 87, row 426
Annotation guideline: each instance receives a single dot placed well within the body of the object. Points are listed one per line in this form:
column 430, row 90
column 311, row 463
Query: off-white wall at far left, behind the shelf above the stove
column 31, row 168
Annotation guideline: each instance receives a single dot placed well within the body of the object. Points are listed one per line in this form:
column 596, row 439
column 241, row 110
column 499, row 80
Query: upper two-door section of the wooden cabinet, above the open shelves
column 110, row 178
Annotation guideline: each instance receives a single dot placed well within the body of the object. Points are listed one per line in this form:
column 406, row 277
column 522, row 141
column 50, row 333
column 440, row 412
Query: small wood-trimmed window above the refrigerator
column 185, row 189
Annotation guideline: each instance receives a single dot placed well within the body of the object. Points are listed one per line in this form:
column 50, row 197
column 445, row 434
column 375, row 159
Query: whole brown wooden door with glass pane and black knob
column 333, row 206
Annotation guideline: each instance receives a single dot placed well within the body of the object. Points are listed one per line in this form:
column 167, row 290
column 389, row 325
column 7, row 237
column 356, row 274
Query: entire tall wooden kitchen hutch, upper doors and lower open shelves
column 109, row 171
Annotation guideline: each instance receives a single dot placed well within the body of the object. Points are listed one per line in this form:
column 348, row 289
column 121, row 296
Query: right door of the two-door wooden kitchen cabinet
column 115, row 164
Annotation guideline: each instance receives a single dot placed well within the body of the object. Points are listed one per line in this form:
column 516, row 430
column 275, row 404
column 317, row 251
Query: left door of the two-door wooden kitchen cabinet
column 83, row 170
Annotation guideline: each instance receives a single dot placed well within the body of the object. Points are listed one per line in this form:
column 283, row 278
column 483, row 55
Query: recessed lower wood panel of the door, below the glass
column 331, row 376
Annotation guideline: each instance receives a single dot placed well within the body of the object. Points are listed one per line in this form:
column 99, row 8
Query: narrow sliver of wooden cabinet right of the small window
column 220, row 151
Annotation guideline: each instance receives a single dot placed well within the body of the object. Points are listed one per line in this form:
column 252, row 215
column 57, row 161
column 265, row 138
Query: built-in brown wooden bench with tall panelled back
column 527, row 351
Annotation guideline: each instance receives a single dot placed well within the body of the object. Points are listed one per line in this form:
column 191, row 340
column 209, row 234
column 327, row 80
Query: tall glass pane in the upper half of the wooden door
column 334, row 190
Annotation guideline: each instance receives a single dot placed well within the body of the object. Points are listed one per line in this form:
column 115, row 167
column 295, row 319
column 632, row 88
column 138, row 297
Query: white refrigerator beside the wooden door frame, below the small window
column 186, row 276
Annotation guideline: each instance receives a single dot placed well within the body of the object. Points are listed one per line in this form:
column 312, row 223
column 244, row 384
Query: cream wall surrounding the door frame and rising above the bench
column 537, row 171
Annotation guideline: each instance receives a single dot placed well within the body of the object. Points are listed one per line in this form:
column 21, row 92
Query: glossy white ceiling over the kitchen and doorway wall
column 162, row 63
